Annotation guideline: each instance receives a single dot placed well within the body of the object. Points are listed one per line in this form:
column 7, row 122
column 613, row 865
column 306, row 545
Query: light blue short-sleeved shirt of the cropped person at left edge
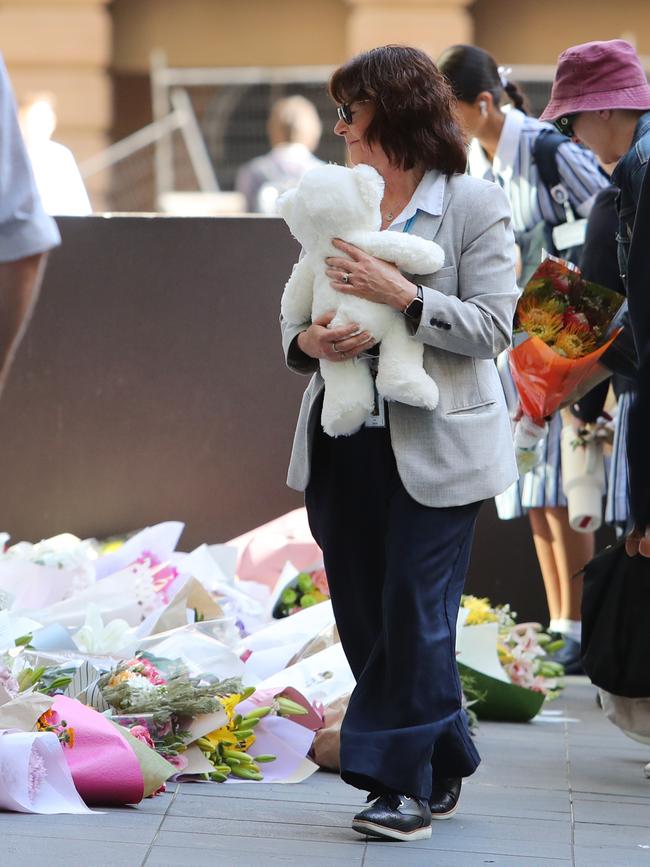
column 25, row 228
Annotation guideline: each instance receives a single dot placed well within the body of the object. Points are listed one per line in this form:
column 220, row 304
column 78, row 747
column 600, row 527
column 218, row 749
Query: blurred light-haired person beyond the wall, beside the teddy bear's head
column 294, row 130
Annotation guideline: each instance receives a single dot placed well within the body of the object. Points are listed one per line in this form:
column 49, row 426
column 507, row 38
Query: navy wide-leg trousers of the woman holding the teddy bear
column 396, row 571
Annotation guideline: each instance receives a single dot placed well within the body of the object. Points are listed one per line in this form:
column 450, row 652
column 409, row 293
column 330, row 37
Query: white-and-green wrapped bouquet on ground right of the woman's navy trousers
column 516, row 683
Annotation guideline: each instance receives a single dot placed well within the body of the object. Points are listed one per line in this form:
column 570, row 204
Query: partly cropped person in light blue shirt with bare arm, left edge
column 26, row 232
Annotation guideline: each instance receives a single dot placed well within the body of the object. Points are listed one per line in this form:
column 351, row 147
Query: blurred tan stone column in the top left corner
column 64, row 46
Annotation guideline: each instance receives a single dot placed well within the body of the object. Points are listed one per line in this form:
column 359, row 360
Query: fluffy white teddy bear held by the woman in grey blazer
column 336, row 202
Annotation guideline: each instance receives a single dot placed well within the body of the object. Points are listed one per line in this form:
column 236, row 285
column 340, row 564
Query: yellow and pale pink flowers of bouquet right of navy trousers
column 524, row 649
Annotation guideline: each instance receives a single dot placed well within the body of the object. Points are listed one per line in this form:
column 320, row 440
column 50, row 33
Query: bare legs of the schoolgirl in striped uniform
column 561, row 553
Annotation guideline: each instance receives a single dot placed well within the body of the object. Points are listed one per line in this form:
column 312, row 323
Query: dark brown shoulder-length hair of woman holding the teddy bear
column 414, row 121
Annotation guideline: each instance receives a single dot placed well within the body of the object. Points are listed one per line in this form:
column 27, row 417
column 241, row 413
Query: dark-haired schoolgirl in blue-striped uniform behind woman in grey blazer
column 507, row 148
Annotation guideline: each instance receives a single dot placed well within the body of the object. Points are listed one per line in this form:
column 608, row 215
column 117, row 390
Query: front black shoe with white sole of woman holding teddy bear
column 395, row 817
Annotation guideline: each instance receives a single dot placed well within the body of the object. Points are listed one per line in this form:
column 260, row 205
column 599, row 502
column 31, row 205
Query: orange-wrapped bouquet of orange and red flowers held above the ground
column 561, row 330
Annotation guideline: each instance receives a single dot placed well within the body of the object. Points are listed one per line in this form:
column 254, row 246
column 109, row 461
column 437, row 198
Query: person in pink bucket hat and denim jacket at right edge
column 601, row 97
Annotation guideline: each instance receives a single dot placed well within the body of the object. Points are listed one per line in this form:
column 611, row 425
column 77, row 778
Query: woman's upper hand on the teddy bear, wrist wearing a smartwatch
column 368, row 277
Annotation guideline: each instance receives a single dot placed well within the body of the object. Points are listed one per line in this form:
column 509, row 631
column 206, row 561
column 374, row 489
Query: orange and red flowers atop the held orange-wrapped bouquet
column 567, row 312
